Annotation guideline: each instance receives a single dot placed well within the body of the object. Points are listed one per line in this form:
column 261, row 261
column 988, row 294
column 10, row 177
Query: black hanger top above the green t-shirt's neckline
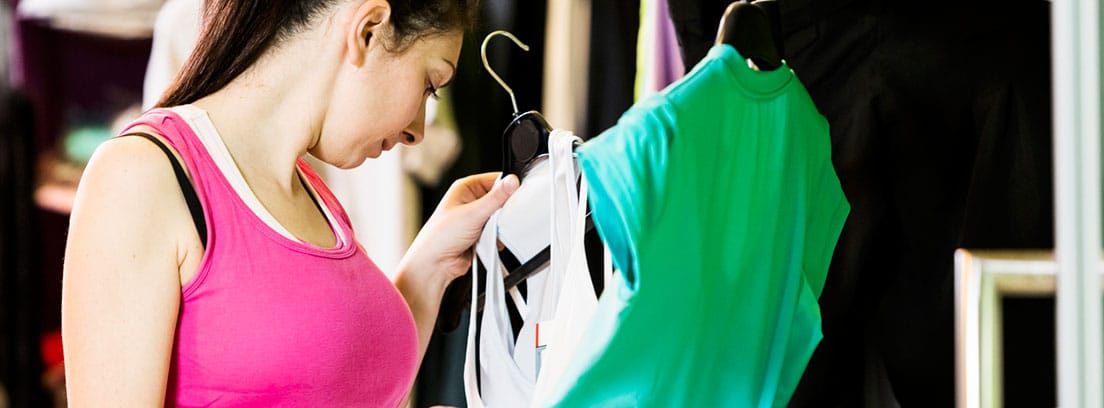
column 755, row 30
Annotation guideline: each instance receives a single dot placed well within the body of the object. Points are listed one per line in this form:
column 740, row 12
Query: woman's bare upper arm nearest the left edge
column 121, row 291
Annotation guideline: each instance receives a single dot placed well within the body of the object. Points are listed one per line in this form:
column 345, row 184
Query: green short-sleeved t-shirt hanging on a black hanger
column 720, row 205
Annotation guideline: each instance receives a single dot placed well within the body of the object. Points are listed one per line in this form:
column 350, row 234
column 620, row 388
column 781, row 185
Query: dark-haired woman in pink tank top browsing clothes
column 254, row 293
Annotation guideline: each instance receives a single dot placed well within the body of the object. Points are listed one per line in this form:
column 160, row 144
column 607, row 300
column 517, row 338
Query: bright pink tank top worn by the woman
column 272, row 321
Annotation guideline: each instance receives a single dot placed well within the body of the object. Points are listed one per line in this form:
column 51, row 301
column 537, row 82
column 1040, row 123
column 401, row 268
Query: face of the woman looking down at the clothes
column 381, row 103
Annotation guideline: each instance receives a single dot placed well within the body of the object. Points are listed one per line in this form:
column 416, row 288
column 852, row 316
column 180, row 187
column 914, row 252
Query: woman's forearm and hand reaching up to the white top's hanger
column 443, row 249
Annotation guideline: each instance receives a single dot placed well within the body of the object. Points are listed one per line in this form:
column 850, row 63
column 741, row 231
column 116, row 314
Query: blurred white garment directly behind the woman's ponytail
column 175, row 35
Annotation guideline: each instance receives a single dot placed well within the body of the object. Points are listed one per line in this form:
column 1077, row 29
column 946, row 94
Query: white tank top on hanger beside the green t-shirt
column 560, row 299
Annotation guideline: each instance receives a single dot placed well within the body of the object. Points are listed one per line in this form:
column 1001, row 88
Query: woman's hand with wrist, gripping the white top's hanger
column 443, row 249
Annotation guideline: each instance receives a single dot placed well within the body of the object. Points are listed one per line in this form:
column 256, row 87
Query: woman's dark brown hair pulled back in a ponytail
column 237, row 33
